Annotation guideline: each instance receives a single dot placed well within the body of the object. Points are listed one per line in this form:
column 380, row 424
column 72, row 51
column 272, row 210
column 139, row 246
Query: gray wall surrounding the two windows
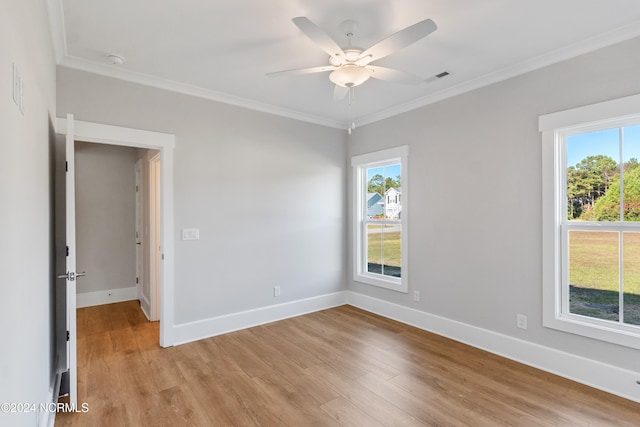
column 475, row 224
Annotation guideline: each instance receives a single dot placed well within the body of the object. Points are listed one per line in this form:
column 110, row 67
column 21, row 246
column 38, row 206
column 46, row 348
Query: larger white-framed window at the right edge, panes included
column 591, row 221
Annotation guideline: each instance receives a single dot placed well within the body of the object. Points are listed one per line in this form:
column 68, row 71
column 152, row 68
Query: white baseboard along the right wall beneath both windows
column 618, row 381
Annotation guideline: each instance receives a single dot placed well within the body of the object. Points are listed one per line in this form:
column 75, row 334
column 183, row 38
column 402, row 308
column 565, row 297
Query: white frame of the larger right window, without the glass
column 555, row 128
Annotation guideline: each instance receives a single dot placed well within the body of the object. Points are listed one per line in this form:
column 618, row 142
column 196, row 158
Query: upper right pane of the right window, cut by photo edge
column 631, row 173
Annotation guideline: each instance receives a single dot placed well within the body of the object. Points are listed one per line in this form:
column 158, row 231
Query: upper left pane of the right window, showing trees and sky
column 592, row 166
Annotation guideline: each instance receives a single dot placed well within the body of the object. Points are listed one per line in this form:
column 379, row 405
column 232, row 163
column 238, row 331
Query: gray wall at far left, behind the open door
column 26, row 209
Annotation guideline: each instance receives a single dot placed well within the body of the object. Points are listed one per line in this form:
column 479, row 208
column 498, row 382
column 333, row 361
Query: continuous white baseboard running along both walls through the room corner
column 612, row 379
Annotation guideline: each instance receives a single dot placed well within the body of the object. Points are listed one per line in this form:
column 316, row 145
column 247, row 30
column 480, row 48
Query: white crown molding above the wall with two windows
column 584, row 46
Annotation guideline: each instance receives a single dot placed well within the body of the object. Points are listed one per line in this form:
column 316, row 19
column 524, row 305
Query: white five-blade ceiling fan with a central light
column 351, row 66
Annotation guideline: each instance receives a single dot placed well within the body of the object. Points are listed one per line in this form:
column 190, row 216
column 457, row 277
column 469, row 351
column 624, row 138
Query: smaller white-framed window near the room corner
column 380, row 237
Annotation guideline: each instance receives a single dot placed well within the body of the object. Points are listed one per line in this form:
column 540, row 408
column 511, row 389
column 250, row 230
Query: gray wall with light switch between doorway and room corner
column 267, row 193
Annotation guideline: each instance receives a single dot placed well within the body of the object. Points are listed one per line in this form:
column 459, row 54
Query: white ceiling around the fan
column 222, row 49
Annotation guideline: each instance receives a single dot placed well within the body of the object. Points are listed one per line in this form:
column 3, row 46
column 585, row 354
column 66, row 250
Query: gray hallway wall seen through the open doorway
column 105, row 216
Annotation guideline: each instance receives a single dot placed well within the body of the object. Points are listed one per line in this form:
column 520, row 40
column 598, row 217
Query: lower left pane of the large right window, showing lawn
column 594, row 274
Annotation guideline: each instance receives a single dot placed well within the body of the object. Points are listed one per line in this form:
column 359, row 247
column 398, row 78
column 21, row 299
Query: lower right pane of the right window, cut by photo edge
column 631, row 270
